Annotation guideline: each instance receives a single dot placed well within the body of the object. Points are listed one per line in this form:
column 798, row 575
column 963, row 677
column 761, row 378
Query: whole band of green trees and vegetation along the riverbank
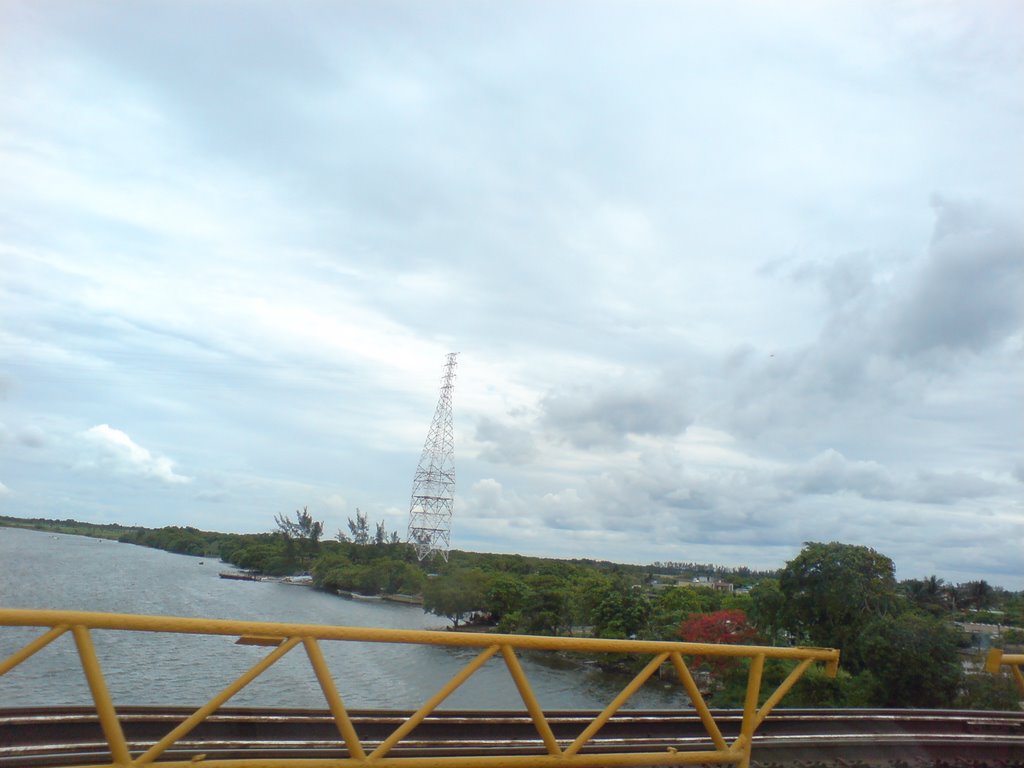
column 900, row 642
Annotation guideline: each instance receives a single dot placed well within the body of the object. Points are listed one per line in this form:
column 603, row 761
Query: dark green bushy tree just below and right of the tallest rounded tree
column 915, row 660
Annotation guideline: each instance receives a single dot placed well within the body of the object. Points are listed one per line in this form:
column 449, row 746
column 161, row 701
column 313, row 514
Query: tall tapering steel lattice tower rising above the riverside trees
column 434, row 485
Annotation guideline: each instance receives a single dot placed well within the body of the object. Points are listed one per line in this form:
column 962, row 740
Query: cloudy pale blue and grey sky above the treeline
column 723, row 278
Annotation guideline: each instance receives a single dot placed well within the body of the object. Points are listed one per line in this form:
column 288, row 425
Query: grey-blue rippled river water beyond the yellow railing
column 47, row 571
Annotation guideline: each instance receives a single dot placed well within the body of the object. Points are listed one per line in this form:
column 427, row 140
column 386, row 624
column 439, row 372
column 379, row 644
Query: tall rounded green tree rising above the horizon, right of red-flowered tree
column 832, row 591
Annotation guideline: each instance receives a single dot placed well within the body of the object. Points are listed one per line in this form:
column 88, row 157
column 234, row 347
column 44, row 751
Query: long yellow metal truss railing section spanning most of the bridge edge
column 285, row 637
